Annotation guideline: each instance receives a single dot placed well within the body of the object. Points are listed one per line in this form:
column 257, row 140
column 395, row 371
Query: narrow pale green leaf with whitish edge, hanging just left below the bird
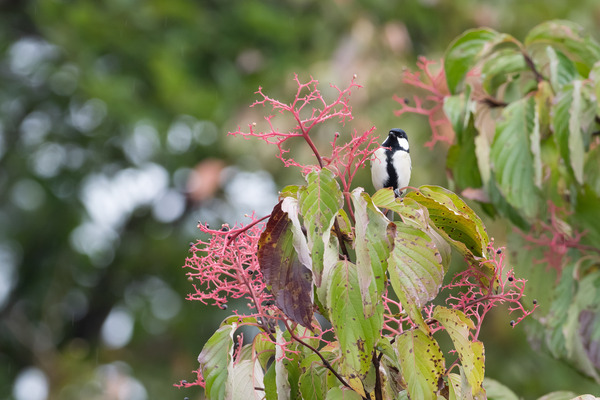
column 372, row 246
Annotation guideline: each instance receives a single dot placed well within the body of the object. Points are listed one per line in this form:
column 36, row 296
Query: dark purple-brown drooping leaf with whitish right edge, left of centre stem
column 285, row 263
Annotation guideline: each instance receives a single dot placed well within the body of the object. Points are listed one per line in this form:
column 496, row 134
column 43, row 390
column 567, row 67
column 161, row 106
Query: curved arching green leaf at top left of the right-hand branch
column 466, row 50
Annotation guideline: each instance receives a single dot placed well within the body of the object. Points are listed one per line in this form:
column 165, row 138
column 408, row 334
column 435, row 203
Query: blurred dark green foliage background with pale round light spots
column 113, row 122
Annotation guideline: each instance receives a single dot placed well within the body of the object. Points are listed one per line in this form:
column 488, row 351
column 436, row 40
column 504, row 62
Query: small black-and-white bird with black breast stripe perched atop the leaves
column 390, row 165
